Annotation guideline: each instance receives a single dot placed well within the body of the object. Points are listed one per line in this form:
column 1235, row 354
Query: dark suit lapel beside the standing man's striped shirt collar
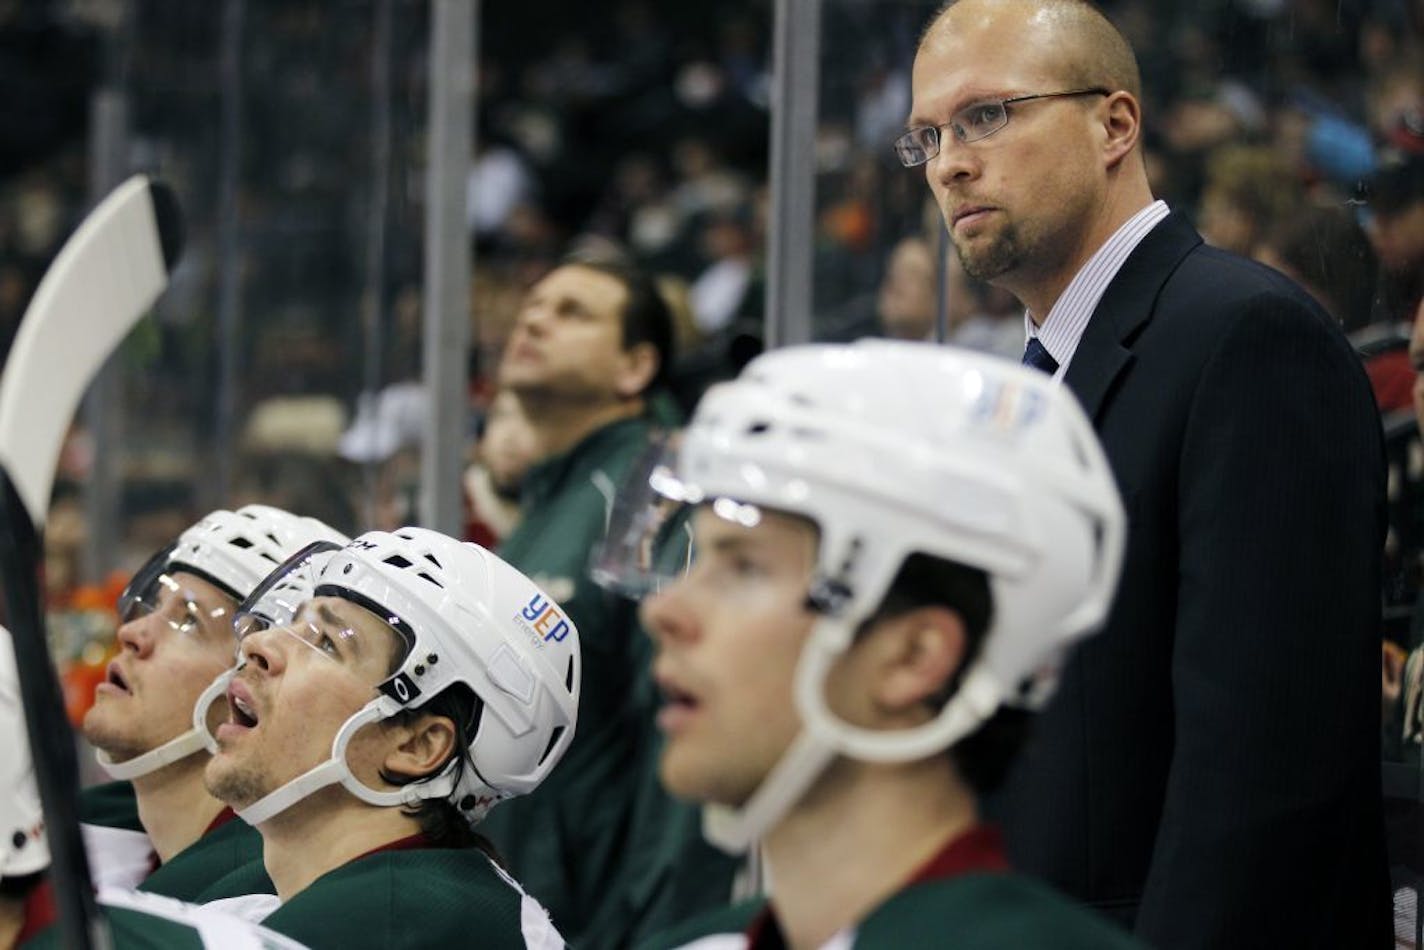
column 1104, row 353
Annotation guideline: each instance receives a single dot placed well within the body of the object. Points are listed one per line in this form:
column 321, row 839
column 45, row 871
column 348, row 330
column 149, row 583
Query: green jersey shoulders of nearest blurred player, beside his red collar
column 969, row 912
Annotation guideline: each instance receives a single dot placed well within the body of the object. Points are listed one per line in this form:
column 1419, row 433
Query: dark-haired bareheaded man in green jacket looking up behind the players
column 600, row 845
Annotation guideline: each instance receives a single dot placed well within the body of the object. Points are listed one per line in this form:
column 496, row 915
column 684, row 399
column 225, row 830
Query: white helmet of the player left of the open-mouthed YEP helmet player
column 234, row 550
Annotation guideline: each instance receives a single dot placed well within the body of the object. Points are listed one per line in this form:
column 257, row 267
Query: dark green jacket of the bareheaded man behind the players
column 599, row 844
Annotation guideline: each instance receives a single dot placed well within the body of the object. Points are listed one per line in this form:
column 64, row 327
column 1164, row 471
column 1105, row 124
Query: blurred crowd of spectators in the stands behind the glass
column 1291, row 130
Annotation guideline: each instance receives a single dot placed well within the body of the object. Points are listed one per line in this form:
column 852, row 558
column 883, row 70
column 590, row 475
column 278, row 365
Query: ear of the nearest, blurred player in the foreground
column 919, row 654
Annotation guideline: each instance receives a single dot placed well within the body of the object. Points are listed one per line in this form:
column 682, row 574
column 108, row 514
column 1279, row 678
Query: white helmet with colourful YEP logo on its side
column 465, row 617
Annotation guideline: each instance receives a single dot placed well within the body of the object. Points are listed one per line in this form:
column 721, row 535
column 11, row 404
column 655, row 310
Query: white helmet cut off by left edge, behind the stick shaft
column 23, row 848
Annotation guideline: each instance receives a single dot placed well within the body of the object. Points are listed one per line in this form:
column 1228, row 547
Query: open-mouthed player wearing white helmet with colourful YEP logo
column 391, row 693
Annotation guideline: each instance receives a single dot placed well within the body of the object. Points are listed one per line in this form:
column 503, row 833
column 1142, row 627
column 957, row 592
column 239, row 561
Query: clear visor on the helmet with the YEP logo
column 330, row 622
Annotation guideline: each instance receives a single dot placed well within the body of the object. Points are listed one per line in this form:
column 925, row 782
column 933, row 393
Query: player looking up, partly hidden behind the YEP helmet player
column 157, row 828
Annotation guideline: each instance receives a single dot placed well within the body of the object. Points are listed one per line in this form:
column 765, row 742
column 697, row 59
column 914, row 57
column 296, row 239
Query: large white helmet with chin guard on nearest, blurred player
column 898, row 449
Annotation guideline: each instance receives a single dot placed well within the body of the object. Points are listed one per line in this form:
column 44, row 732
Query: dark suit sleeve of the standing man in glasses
column 1268, row 825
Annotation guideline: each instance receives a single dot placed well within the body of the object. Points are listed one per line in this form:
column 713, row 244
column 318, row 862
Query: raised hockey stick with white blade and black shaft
column 106, row 277
